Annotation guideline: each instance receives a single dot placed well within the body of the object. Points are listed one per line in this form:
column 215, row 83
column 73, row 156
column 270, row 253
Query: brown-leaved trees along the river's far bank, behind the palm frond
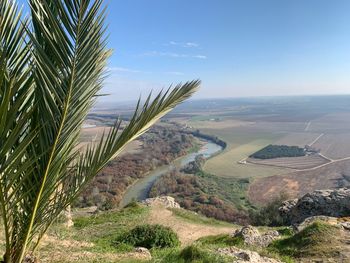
column 160, row 145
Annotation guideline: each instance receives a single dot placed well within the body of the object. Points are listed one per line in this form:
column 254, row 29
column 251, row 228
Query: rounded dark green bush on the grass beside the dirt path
column 150, row 236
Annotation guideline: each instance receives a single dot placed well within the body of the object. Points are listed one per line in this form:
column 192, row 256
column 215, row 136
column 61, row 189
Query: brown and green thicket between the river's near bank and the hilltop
column 219, row 198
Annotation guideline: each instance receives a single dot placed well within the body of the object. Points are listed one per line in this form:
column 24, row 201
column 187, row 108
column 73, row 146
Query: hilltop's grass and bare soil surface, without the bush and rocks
column 96, row 238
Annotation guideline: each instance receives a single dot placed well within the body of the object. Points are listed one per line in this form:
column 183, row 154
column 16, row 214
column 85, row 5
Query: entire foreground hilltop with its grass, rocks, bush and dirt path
column 319, row 233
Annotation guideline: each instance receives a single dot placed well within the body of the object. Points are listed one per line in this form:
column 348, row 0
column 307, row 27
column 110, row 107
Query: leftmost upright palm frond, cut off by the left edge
column 16, row 90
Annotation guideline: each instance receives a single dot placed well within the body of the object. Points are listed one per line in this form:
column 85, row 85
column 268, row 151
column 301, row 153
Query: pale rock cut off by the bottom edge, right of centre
column 244, row 256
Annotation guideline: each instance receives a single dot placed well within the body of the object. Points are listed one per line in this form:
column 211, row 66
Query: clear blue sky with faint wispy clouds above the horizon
column 236, row 47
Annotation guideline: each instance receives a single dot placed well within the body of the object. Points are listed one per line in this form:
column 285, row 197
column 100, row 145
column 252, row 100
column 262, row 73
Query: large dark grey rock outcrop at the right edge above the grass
column 334, row 203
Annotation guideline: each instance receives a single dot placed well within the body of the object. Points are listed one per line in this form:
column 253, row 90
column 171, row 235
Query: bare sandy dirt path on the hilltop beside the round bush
column 187, row 231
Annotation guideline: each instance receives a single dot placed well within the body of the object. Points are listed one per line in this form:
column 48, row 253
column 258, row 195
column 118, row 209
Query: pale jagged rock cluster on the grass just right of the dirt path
column 251, row 236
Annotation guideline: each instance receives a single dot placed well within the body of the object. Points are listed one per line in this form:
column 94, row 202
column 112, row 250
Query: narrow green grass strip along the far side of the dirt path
column 193, row 217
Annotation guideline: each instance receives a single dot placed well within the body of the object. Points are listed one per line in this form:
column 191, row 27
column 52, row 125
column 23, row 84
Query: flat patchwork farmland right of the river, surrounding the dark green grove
column 249, row 125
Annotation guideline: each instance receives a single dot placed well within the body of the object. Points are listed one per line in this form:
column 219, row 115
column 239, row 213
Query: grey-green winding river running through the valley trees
column 140, row 189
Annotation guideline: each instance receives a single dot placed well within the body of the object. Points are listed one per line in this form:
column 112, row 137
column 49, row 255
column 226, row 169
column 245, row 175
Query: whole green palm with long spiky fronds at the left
column 52, row 68
